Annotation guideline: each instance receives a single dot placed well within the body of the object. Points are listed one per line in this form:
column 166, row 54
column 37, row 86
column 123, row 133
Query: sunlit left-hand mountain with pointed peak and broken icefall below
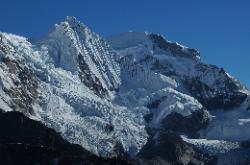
column 75, row 75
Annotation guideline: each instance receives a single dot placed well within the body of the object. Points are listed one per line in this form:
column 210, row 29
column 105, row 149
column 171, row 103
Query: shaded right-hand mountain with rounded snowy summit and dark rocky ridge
column 207, row 100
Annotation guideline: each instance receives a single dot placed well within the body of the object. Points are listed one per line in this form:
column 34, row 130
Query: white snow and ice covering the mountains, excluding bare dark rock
column 98, row 124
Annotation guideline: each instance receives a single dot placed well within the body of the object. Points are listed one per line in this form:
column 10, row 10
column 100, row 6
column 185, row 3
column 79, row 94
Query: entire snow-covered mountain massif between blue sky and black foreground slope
column 124, row 95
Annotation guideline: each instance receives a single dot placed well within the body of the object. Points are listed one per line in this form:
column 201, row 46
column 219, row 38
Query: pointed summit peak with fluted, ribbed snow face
column 74, row 47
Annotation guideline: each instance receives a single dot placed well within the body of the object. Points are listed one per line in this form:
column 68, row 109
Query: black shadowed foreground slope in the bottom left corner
column 25, row 141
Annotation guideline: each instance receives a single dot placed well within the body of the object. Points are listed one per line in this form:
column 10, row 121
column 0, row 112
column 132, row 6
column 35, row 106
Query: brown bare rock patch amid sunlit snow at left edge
column 25, row 92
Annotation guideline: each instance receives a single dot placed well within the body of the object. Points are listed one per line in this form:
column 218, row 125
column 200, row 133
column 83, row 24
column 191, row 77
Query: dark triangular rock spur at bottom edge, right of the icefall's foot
column 166, row 147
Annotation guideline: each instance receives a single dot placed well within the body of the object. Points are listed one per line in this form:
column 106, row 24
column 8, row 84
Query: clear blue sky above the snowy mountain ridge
column 219, row 29
